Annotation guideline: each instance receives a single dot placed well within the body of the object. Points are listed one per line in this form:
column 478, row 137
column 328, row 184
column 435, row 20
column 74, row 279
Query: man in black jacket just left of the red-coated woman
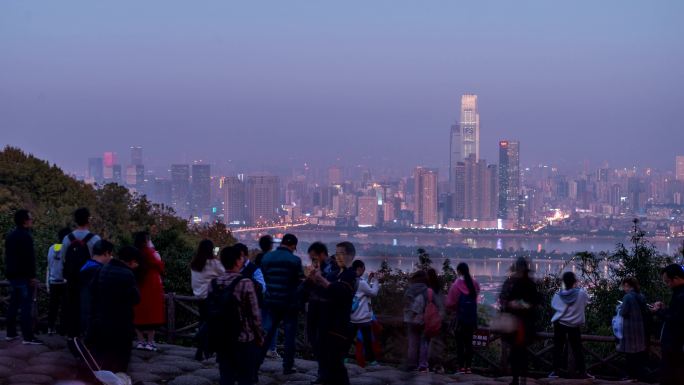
column 114, row 294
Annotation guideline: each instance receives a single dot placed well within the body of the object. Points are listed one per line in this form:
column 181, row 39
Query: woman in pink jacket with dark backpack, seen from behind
column 462, row 300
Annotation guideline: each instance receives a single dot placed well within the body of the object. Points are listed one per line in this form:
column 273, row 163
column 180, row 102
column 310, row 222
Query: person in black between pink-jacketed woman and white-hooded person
column 519, row 298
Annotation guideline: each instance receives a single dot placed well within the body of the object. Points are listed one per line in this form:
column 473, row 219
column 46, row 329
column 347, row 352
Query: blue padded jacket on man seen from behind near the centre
column 283, row 273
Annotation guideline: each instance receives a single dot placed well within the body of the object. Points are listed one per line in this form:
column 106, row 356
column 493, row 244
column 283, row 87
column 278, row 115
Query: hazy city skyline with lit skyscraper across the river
column 474, row 195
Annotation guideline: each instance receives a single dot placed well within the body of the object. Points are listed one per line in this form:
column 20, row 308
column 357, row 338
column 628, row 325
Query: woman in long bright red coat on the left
column 149, row 313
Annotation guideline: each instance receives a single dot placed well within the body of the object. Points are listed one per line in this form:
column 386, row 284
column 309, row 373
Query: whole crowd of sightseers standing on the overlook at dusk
column 113, row 300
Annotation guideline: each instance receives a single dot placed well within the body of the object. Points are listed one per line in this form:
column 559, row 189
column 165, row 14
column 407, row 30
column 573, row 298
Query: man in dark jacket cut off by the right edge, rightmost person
column 672, row 336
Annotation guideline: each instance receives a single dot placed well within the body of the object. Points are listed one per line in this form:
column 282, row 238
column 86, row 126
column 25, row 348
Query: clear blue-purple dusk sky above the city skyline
column 370, row 82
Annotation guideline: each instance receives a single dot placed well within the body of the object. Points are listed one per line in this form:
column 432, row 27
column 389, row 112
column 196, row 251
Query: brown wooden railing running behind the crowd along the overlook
column 183, row 314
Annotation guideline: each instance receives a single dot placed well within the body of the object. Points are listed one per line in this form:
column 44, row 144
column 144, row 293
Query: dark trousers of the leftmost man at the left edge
column 21, row 299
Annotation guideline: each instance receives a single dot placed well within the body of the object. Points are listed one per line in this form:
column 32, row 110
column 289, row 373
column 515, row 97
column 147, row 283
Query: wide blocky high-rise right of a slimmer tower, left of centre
column 261, row 195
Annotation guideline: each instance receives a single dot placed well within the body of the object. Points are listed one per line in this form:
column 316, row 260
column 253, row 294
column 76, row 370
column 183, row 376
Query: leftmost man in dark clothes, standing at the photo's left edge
column 20, row 269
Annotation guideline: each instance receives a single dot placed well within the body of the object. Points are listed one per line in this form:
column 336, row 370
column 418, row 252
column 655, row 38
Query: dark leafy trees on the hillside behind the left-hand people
column 52, row 197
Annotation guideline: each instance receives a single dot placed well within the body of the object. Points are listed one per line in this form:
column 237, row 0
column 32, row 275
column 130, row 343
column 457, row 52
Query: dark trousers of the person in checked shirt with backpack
column 239, row 365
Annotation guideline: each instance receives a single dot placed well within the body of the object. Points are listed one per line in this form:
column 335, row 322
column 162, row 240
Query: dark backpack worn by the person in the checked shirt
column 223, row 317
